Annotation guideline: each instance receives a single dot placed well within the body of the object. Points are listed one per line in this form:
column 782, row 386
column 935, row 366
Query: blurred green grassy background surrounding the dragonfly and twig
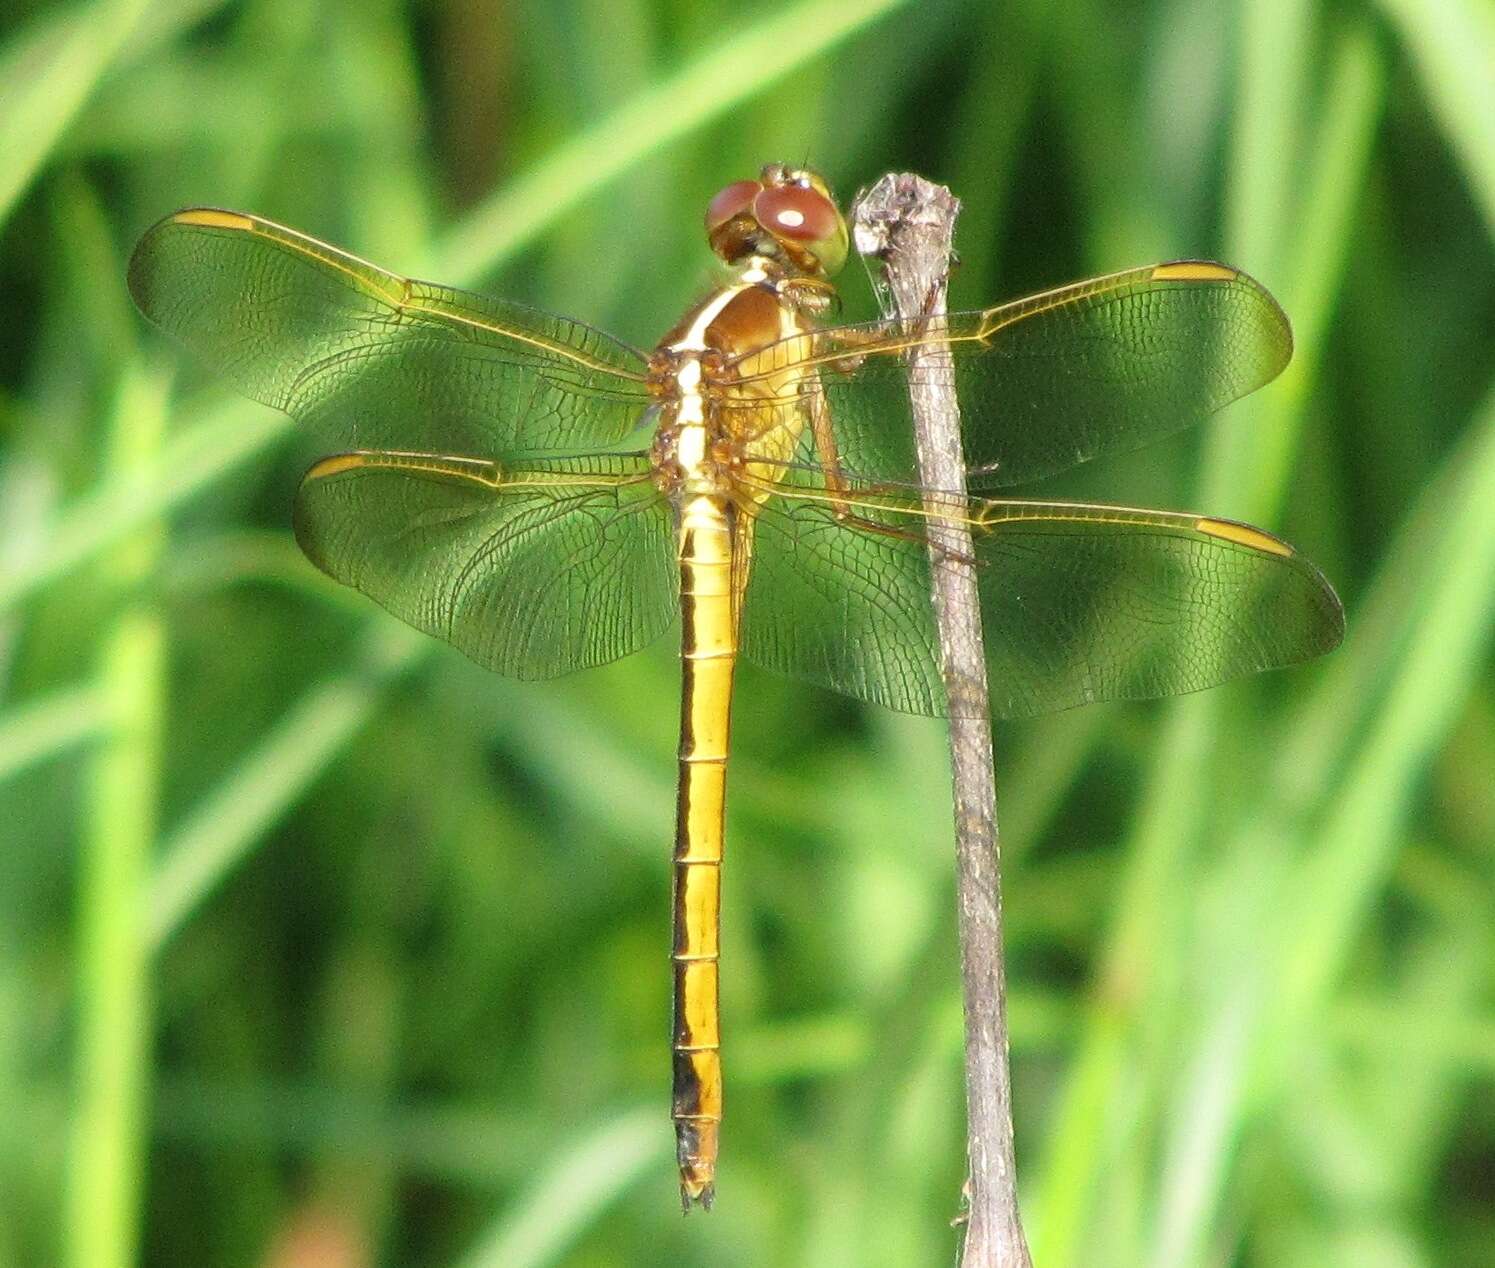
column 321, row 947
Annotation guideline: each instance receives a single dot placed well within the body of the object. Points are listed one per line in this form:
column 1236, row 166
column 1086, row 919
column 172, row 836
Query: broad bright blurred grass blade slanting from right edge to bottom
column 1321, row 905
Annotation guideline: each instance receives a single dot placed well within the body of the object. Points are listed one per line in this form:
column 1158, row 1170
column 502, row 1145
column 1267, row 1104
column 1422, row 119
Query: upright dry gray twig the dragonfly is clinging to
column 908, row 225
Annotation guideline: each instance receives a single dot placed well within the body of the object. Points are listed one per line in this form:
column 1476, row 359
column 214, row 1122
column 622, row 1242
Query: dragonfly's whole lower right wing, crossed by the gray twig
column 1080, row 603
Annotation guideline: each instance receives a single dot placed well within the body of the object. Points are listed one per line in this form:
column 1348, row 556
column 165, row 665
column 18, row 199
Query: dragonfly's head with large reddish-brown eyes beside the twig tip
column 787, row 216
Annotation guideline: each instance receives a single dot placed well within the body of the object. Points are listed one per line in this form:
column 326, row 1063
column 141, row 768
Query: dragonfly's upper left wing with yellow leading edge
column 374, row 360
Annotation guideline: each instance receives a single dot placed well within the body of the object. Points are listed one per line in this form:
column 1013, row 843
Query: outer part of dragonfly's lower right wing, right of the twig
column 1085, row 603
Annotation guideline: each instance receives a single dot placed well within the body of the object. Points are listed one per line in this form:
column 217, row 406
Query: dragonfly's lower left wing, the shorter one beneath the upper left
column 531, row 572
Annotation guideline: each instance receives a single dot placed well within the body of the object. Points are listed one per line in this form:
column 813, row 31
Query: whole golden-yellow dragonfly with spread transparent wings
column 545, row 497
